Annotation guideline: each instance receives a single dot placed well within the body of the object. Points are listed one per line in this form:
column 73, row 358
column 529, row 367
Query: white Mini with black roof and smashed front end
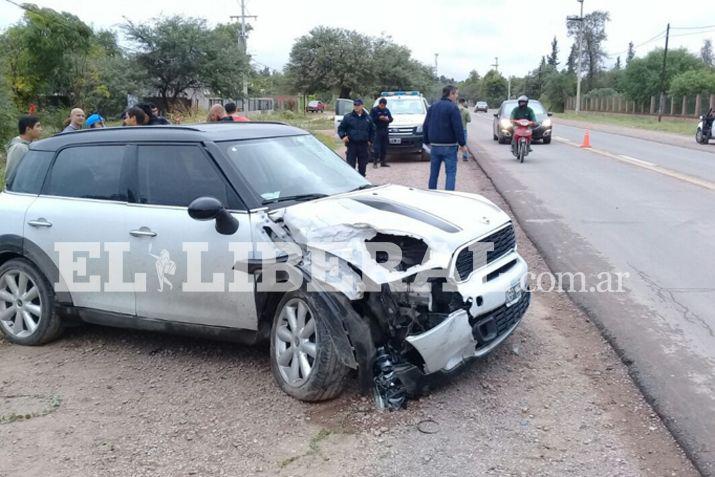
column 256, row 232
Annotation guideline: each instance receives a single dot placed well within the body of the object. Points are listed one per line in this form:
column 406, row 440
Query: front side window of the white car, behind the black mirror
column 175, row 175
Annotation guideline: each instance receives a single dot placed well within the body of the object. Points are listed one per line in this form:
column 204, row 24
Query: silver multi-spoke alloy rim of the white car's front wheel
column 296, row 342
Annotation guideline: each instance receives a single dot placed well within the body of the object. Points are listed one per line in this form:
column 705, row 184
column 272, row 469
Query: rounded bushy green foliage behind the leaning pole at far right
column 642, row 77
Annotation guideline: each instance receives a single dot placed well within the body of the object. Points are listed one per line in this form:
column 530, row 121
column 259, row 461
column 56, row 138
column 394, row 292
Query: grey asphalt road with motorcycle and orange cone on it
column 629, row 206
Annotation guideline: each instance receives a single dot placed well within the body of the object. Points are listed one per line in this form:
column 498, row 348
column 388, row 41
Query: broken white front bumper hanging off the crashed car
column 497, row 308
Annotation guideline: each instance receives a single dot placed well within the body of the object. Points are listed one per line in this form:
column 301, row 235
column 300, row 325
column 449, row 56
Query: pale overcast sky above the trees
column 466, row 34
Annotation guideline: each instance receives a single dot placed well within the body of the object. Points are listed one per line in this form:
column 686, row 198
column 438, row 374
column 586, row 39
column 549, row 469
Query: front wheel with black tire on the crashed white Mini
column 298, row 373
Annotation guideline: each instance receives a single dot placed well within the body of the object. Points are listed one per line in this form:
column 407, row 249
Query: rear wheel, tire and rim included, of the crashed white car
column 24, row 289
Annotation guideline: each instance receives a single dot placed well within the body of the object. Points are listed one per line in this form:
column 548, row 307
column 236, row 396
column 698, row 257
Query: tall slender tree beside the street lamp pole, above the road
column 593, row 36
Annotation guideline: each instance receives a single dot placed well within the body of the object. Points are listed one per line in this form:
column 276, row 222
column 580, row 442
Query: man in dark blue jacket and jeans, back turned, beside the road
column 444, row 134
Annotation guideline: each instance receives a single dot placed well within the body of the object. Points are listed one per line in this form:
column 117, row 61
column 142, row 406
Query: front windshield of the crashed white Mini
column 292, row 167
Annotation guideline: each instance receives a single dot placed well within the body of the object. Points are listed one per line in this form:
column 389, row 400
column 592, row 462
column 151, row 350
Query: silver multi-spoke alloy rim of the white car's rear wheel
column 20, row 304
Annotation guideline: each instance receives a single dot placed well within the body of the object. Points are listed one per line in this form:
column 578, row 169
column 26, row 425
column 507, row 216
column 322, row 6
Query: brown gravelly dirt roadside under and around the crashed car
column 554, row 399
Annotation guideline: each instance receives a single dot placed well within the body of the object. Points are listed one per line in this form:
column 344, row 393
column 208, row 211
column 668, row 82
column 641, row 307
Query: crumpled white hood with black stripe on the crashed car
column 341, row 224
